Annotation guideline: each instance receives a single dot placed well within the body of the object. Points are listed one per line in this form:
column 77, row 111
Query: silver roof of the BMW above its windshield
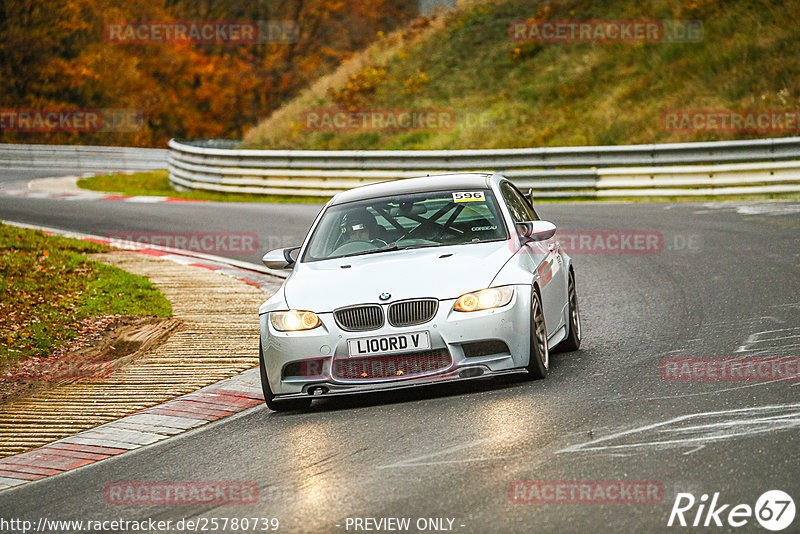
column 439, row 182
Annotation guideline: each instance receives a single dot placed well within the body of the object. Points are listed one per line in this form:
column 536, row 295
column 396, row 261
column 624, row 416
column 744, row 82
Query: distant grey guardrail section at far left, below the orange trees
column 18, row 156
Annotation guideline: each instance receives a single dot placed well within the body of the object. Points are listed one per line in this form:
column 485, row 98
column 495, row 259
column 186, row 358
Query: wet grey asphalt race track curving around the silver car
column 724, row 283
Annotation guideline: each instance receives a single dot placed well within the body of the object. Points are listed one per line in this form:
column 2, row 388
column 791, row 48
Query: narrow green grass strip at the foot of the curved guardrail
column 156, row 183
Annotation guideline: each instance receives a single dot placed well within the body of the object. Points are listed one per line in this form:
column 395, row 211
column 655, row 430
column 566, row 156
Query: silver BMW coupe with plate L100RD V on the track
column 414, row 282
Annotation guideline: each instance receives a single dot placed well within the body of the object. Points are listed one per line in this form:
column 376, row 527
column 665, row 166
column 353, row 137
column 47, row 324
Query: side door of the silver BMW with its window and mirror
column 542, row 257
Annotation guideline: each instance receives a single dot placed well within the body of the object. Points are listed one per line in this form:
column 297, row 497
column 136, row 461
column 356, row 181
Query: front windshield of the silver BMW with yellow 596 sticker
column 428, row 219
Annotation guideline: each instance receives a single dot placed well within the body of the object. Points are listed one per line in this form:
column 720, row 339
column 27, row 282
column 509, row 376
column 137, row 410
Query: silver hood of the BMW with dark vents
column 440, row 272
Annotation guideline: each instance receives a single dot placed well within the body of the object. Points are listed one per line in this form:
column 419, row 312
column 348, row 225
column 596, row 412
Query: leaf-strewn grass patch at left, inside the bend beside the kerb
column 48, row 286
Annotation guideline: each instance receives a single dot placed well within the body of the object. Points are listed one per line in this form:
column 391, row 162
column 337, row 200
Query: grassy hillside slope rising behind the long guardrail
column 501, row 93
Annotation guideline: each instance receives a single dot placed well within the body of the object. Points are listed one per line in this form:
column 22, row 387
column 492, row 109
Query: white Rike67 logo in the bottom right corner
column 774, row 510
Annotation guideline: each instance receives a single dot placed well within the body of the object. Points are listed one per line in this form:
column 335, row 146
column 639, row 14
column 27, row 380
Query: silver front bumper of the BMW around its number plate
column 319, row 352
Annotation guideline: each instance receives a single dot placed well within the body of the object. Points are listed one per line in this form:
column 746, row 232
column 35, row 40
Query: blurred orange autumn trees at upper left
column 54, row 55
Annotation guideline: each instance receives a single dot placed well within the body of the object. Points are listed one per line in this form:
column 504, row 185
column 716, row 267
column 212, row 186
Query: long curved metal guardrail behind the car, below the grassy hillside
column 678, row 169
